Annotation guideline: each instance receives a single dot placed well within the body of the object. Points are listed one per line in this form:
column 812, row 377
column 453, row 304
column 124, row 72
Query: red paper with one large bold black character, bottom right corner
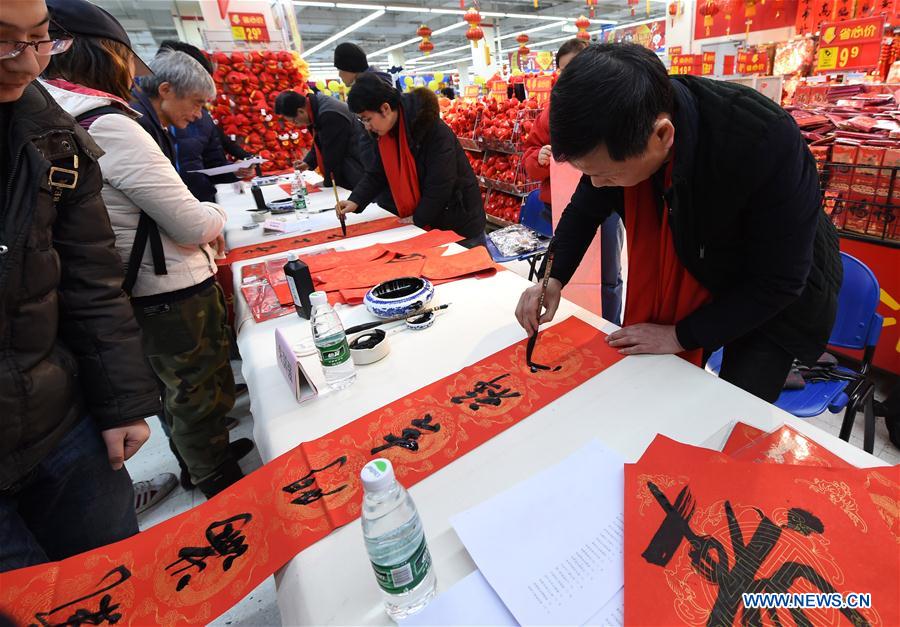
column 701, row 529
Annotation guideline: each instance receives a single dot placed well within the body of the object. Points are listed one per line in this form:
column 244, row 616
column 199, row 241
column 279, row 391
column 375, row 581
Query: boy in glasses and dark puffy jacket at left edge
column 74, row 387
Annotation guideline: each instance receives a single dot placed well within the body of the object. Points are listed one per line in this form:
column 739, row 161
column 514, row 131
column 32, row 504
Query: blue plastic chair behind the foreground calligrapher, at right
column 856, row 326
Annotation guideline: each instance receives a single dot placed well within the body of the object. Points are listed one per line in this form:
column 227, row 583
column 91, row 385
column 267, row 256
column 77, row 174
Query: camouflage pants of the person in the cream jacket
column 187, row 345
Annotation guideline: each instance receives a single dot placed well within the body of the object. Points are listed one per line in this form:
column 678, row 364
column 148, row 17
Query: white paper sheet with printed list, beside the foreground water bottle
column 552, row 546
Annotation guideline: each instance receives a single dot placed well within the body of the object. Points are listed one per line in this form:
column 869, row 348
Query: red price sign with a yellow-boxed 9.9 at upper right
column 850, row 45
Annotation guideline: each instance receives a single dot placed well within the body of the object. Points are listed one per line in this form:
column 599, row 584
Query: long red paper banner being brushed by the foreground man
column 191, row 568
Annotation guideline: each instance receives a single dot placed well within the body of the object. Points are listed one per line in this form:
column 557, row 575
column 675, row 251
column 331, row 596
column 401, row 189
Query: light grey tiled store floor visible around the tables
column 260, row 608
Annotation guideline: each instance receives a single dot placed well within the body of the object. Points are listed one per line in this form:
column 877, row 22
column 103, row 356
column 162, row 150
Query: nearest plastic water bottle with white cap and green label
column 395, row 541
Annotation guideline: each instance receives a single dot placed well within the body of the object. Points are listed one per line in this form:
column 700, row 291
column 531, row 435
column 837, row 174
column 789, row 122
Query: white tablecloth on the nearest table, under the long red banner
column 625, row 406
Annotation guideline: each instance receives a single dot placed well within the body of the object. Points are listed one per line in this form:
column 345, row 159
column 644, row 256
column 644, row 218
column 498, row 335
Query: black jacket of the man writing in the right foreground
column 746, row 221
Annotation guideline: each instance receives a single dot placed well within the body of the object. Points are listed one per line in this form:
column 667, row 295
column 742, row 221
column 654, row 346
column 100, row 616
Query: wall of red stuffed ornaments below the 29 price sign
column 247, row 84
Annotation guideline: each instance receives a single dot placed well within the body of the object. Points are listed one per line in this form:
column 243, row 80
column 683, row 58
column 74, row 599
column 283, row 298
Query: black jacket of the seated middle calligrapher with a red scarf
column 450, row 197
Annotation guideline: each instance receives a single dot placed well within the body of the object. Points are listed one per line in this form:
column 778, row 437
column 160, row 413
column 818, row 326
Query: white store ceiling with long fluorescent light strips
column 150, row 21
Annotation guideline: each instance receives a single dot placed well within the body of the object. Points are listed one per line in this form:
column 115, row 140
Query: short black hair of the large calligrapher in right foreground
column 610, row 94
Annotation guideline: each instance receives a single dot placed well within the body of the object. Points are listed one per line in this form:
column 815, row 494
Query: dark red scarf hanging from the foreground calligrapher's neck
column 660, row 289
